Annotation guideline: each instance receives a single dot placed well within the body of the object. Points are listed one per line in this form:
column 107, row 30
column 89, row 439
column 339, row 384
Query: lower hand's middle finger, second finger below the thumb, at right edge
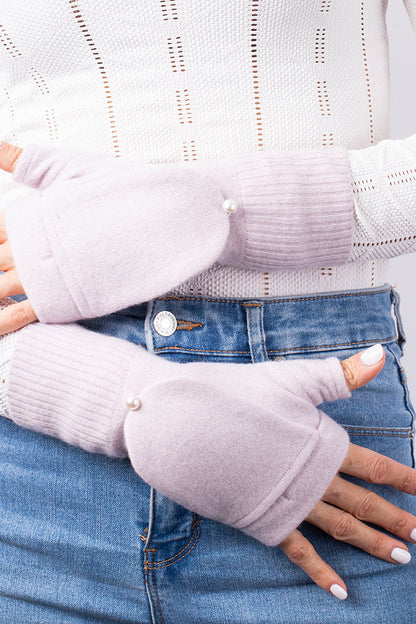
column 370, row 507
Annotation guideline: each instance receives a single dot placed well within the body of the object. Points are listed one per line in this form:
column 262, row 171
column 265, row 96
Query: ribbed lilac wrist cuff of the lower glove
column 70, row 383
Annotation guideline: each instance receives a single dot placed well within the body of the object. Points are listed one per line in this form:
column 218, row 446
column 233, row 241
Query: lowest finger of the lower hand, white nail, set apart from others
column 302, row 553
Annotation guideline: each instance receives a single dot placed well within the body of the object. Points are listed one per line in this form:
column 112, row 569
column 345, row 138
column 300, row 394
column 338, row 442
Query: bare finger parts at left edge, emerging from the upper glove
column 19, row 314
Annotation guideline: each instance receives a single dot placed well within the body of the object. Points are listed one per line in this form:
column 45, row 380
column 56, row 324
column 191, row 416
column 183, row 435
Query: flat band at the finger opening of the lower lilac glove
column 271, row 523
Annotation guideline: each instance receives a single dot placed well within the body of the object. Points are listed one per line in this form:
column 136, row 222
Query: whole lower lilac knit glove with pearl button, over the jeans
column 243, row 444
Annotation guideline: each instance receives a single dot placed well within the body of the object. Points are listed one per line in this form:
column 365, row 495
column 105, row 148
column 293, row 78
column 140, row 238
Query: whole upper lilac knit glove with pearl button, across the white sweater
column 100, row 234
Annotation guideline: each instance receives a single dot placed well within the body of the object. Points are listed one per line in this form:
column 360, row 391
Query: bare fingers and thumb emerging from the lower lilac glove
column 345, row 506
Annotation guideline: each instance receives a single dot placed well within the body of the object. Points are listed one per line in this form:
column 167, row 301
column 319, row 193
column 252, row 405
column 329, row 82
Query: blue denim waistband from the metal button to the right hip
column 275, row 325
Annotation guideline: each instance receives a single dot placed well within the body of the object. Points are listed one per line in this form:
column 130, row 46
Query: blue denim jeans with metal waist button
column 84, row 539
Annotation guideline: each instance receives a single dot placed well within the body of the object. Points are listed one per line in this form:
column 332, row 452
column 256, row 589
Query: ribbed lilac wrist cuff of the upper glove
column 296, row 209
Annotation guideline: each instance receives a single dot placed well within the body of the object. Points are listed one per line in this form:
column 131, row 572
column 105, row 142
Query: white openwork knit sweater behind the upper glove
column 171, row 80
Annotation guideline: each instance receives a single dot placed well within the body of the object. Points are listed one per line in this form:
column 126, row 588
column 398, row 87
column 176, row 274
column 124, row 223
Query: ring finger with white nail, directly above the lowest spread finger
column 344, row 527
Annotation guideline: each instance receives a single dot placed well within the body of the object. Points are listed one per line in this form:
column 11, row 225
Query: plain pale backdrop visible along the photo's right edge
column 403, row 123
